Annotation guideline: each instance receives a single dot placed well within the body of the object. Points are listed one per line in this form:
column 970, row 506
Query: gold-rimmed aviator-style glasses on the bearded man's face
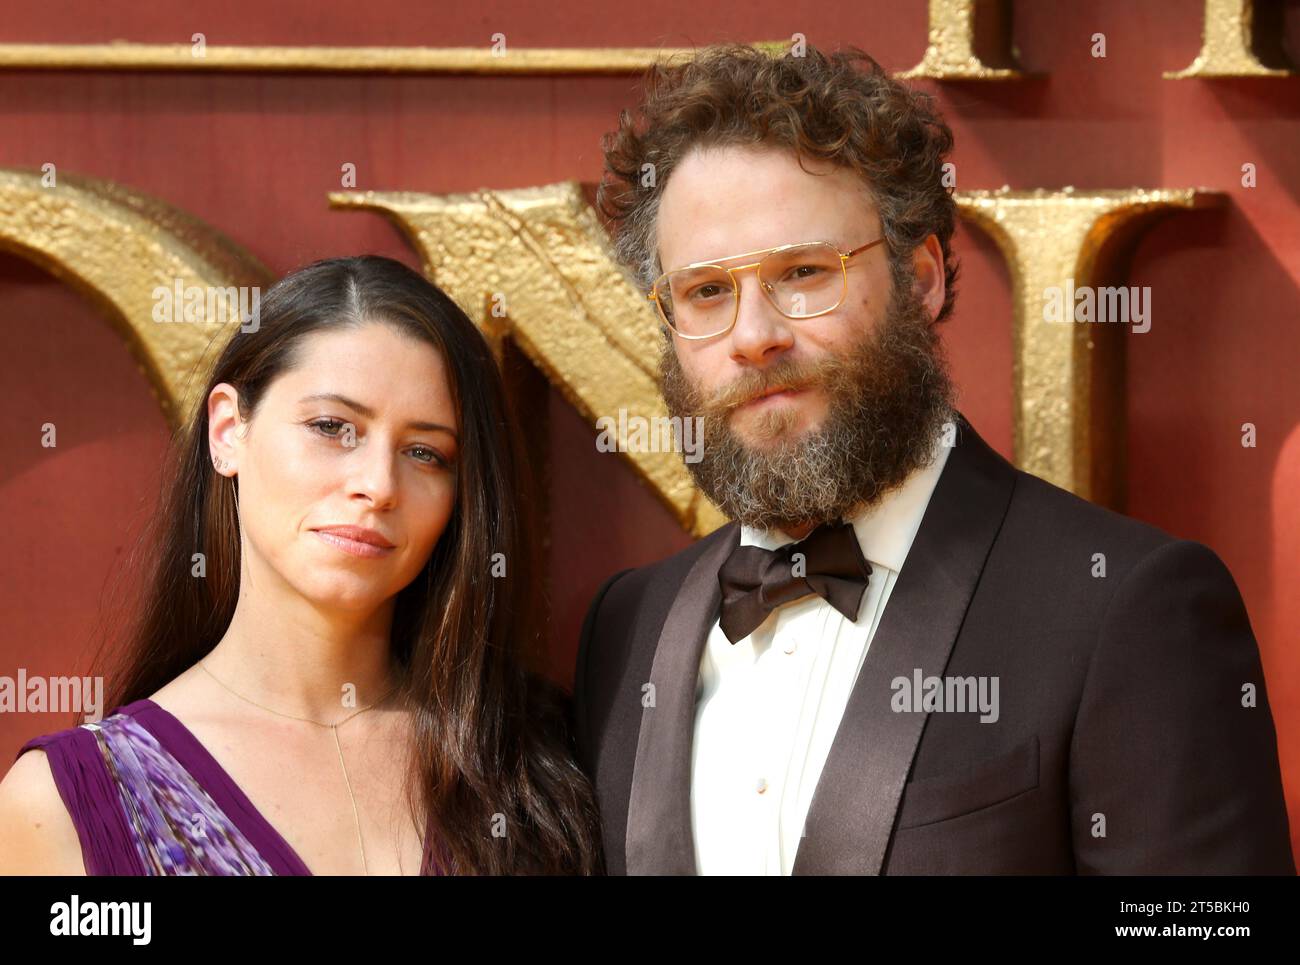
column 801, row 282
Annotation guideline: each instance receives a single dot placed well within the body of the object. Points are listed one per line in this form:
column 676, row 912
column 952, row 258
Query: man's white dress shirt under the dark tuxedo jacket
column 768, row 707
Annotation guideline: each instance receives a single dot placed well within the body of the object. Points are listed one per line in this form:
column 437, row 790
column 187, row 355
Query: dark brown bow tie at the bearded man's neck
column 755, row 581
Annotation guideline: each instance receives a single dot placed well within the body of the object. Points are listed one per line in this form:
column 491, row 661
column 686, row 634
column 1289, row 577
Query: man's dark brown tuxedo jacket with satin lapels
column 1123, row 745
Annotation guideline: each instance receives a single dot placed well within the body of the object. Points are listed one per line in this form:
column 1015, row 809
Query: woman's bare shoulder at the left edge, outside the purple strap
column 40, row 834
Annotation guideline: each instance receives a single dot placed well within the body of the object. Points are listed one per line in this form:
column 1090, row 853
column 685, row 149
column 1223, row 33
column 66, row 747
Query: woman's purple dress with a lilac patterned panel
column 149, row 799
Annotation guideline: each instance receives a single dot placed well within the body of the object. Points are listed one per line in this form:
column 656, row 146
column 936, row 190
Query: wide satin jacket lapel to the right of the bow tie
column 853, row 810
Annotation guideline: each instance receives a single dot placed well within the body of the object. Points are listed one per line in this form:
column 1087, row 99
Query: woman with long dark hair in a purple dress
column 328, row 670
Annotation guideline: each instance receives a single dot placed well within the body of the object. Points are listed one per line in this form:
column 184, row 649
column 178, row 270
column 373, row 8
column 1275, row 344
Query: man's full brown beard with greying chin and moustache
column 887, row 403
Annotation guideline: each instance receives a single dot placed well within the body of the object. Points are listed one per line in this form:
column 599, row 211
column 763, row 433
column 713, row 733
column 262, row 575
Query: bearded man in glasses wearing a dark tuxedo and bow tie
column 902, row 656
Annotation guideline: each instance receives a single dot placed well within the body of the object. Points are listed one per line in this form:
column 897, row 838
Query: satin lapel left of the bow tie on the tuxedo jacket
column 660, row 836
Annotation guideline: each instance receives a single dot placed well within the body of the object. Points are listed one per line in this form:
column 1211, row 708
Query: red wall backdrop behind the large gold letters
column 255, row 155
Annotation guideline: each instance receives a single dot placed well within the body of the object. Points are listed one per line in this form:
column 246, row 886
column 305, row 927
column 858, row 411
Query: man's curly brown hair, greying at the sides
column 822, row 106
